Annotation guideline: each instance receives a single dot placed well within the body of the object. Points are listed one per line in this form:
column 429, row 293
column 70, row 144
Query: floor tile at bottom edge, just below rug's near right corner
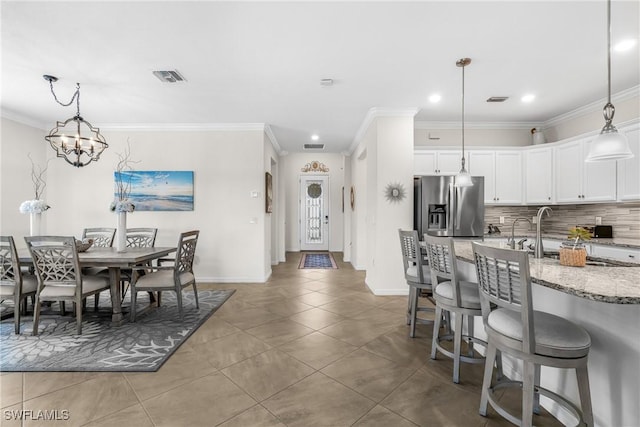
column 206, row 401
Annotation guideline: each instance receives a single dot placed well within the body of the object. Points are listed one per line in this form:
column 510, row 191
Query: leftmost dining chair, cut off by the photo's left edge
column 15, row 284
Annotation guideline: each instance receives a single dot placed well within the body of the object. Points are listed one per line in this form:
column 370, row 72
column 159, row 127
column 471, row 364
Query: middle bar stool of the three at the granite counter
column 453, row 296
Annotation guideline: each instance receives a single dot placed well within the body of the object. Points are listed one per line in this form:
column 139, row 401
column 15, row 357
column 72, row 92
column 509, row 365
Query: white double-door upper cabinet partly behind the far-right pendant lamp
column 578, row 181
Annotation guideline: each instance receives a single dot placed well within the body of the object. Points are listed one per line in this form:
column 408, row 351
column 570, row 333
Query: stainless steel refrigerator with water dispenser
column 441, row 209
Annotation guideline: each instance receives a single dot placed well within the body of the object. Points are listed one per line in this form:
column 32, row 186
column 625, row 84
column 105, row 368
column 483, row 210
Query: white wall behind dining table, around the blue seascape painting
column 228, row 166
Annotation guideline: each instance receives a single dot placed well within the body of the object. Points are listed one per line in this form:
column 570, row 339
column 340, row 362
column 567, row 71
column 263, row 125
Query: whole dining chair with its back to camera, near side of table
column 60, row 277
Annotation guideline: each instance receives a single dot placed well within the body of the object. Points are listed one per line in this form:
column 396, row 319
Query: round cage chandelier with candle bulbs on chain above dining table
column 75, row 140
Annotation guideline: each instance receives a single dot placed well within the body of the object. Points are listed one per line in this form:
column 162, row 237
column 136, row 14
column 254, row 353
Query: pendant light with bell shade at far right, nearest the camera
column 610, row 144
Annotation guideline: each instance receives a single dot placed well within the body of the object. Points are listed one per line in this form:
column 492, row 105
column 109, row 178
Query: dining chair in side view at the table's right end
column 173, row 278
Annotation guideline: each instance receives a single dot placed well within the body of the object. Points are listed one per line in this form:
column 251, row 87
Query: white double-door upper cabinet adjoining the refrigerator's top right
column 502, row 171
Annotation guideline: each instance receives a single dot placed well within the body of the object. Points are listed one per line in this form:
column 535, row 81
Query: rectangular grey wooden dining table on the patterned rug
column 114, row 261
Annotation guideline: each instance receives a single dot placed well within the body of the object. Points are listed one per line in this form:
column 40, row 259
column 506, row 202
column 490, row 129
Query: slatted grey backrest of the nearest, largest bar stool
column 504, row 281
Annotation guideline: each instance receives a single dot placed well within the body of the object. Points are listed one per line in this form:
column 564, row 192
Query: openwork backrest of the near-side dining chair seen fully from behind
column 55, row 259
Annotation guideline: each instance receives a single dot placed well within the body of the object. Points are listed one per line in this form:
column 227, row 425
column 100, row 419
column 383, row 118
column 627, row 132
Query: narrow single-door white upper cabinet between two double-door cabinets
column 539, row 176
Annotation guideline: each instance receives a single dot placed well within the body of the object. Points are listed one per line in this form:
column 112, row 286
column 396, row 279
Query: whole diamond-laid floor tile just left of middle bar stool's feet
column 370, row 375
